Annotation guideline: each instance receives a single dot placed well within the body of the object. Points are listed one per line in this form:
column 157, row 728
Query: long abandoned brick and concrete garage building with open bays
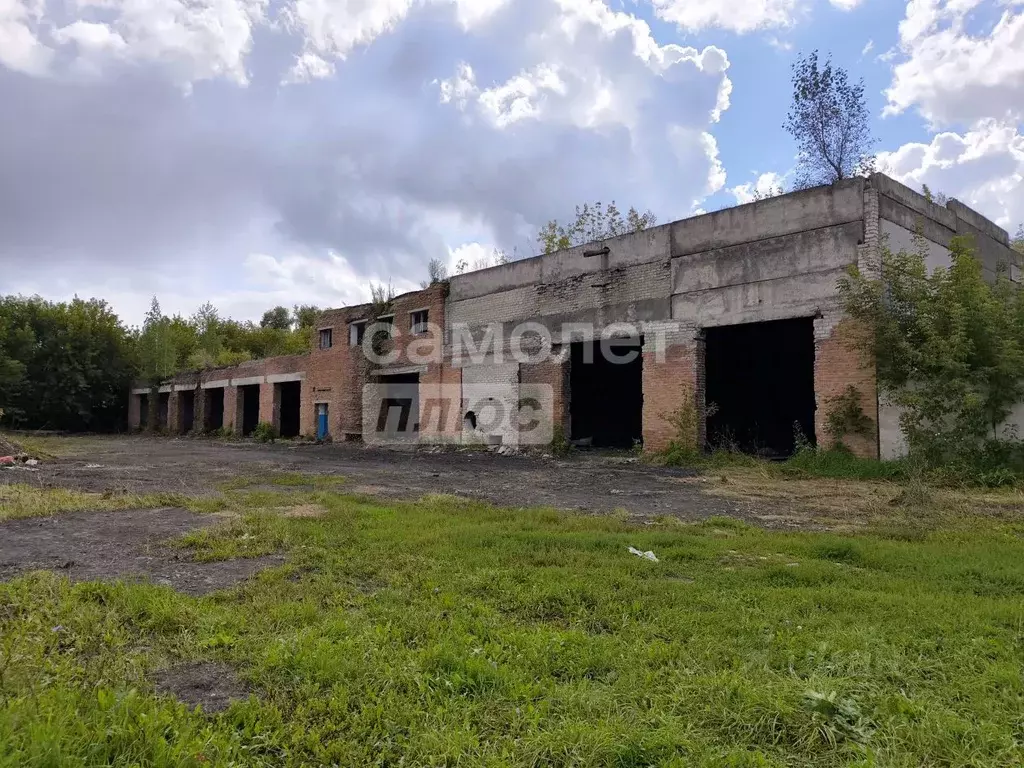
column 739, row 309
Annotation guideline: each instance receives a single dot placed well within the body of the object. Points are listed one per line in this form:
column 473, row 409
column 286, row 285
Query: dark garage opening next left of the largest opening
column 607, row 393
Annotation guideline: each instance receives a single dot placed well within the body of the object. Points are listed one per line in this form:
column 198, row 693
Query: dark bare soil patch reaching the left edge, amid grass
column 123, row 545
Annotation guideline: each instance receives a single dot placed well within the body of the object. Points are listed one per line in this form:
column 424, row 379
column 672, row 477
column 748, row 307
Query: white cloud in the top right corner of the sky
column 956, row 76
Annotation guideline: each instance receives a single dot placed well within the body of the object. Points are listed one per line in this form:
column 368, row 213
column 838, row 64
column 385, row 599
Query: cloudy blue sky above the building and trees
column 262, row 152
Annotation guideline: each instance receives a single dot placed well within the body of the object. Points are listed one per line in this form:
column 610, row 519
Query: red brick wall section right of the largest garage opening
column 838, row 365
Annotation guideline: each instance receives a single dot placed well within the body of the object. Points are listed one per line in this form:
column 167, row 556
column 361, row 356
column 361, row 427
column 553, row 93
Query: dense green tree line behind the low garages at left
column 69, row 366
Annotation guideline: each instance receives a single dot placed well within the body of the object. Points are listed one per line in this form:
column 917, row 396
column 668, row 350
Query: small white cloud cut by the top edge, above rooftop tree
column 737, row 16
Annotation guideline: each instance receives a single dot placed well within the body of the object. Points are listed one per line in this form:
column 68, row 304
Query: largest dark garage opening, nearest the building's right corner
column 760, row 387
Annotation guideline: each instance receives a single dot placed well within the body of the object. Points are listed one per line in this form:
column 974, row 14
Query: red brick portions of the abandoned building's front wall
column 336, row 375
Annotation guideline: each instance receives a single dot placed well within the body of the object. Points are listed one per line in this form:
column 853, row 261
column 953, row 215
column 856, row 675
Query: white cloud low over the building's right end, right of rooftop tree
column 984, row 168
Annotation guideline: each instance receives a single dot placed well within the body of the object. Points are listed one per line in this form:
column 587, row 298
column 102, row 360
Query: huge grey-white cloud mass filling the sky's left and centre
column 548, row 104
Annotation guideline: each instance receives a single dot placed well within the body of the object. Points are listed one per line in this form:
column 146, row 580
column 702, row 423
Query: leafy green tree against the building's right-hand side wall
column 949, row 349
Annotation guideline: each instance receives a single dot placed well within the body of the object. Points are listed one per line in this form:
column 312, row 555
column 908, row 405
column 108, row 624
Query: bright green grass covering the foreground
column 451, row 633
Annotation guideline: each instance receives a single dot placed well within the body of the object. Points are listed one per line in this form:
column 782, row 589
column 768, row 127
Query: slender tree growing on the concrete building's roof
column 830, row 121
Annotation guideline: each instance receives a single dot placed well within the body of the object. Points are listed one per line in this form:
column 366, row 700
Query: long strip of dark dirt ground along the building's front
column 588, row 482
